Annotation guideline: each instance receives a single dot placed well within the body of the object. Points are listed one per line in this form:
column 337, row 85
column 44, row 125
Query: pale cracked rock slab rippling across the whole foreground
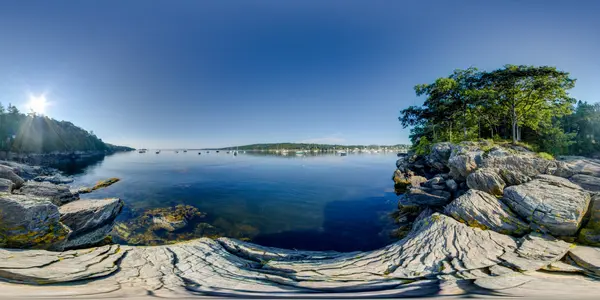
column 437, row 247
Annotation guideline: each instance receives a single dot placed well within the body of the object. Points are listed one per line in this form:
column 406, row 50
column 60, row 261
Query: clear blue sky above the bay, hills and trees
column 165, row 74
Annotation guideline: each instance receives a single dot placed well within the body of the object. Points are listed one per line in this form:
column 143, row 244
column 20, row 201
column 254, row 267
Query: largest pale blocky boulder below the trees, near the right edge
column 551, row 204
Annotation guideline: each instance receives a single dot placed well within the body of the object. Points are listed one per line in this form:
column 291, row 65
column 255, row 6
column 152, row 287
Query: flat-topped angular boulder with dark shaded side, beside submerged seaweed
column 88, row 214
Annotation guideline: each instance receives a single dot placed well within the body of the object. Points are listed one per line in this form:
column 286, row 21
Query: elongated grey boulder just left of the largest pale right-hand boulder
column 482, row 210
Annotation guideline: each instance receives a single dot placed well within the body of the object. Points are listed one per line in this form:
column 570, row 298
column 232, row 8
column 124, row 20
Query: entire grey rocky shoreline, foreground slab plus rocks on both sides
column 476, row 218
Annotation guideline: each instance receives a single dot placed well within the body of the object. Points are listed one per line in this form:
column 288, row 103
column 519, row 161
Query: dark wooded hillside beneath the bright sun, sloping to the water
column 31, row 133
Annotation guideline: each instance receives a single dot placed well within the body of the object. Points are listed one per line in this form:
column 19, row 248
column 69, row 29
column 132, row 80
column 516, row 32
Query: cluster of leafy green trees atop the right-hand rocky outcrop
column 522, row 104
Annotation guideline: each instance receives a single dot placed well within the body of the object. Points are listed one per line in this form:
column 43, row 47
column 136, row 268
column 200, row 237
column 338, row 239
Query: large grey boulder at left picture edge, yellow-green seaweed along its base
column 30, row 222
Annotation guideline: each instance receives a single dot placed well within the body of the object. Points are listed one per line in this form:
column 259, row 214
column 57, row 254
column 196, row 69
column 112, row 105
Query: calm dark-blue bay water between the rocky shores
column 323, row 202
